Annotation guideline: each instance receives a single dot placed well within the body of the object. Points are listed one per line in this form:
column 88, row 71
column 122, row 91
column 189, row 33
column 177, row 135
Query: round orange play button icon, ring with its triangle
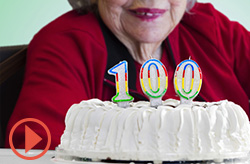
column 31, row 138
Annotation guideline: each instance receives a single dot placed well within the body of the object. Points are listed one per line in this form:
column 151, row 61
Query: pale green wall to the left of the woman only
column 21, row 19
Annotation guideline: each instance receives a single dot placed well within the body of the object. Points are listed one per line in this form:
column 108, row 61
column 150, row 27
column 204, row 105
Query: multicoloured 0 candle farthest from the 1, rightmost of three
column 187, row 80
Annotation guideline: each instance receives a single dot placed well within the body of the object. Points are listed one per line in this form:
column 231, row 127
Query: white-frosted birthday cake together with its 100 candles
column 169, row 130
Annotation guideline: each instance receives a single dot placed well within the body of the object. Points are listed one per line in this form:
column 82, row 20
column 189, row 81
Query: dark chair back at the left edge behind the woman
column 12, row 63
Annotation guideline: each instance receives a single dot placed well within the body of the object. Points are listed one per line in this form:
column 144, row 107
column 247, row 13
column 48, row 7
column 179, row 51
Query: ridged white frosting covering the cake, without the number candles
column 201, row 131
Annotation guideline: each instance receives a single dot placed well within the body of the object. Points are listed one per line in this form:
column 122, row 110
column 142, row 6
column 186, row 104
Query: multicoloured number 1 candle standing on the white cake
column 122, row 97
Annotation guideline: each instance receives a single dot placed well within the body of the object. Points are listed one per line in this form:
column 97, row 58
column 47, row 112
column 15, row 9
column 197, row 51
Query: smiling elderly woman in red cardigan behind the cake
column 68, row 59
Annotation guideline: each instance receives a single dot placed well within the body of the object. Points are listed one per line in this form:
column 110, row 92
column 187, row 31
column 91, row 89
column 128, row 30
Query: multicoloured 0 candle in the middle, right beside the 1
column 154, row 81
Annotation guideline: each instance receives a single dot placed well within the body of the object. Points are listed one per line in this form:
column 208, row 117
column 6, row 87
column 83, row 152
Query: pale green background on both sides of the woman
column 21, row 19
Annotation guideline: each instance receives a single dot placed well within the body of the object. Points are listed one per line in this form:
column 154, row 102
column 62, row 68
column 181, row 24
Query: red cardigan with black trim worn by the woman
column 67, row 62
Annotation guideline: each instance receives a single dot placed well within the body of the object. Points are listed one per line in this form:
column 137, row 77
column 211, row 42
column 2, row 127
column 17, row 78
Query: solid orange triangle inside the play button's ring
column 31, row 139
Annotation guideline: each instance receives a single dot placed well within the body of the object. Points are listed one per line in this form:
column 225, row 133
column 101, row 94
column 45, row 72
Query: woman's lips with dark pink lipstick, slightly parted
column 147, row 13
